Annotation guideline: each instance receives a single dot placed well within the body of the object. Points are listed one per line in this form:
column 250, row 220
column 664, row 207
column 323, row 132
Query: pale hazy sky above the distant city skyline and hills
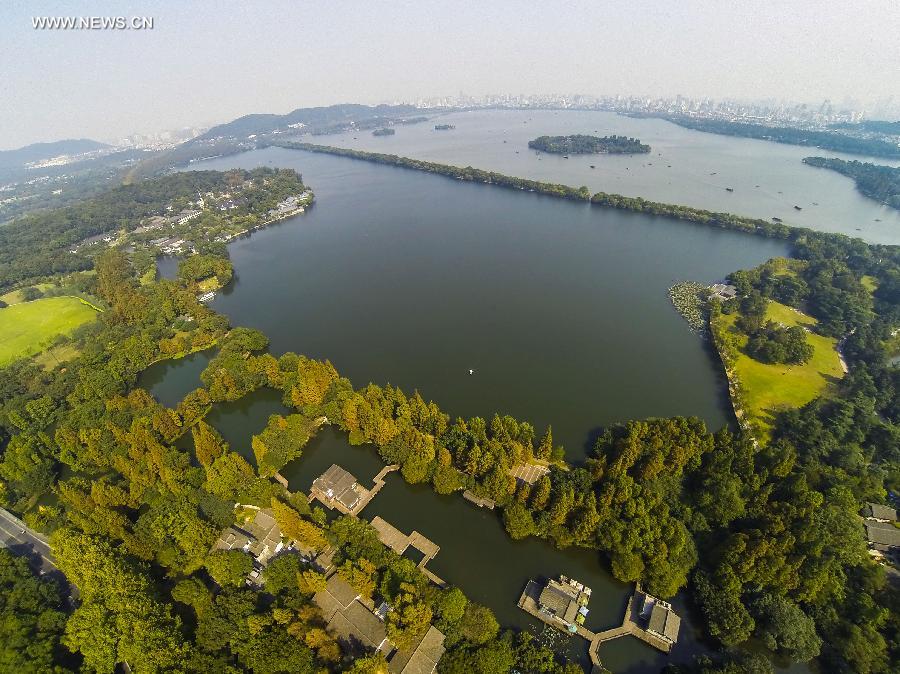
column 209, row 62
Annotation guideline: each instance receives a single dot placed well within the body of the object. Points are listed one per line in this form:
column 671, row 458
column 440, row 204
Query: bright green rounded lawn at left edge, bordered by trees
column 27, row 328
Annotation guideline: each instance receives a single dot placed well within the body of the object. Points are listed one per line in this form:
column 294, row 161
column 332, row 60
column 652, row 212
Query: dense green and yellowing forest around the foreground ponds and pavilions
column 765, row 538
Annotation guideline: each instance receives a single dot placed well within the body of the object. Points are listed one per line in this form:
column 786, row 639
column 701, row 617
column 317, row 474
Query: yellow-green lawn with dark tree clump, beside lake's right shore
column 772, row 387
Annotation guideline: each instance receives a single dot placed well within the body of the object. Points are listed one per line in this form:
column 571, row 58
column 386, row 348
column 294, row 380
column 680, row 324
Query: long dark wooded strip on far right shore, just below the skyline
column 828, row 140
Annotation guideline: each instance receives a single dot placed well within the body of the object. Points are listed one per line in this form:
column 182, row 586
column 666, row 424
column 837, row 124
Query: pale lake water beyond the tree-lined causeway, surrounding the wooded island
column 684, row 167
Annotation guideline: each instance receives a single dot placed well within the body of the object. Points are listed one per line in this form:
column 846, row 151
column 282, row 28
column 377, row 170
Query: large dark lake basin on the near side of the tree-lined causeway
column 560, row 308
